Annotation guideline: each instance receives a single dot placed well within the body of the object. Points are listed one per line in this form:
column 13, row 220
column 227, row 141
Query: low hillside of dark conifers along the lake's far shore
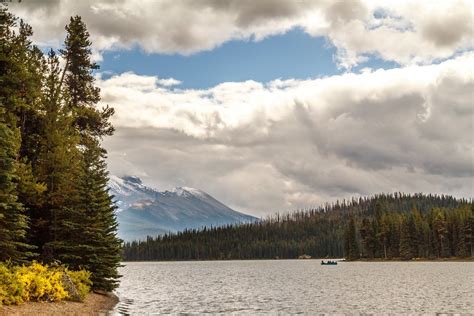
column 385, row 226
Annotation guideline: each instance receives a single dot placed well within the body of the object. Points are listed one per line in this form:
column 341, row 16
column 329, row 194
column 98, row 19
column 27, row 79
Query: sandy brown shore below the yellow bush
column 94, row 304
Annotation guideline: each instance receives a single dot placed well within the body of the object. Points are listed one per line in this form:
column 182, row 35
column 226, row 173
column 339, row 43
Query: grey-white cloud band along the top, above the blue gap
column 405, row 31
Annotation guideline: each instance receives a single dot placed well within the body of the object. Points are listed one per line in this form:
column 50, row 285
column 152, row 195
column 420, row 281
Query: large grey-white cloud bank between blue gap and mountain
column 279, row 145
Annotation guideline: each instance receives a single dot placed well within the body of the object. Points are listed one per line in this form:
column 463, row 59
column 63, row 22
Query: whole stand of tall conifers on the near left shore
column 54, row 201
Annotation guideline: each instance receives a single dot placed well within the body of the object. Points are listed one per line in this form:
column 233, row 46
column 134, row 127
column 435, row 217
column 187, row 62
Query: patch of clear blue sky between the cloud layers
column 294, row 54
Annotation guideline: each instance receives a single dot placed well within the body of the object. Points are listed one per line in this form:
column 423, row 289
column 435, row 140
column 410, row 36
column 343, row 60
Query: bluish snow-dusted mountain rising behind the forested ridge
column 144, row 211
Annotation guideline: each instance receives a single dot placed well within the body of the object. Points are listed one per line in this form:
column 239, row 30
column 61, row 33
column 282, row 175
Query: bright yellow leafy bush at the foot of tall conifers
column 37, row 282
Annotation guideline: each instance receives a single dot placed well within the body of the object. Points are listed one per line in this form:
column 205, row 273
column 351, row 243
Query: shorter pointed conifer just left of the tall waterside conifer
column 58, row 168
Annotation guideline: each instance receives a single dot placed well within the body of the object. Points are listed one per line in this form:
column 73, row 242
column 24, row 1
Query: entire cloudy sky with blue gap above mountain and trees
column 273, row 105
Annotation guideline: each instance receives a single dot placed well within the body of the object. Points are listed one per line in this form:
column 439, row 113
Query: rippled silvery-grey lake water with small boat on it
column 295, row 286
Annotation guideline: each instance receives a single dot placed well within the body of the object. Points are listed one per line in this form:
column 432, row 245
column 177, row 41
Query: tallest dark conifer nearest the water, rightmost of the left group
column 96, row 247
